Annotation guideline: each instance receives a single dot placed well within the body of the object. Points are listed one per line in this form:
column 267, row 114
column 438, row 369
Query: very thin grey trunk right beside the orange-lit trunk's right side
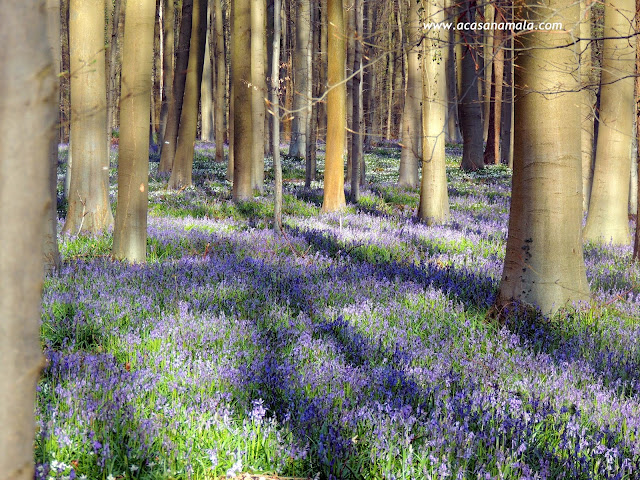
column 356, row 136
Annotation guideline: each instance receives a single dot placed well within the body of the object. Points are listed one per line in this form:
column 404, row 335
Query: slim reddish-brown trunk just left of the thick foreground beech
column 492, row 151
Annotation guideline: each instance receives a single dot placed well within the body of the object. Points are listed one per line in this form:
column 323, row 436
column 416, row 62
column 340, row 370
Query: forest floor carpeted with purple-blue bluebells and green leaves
column 355, row 345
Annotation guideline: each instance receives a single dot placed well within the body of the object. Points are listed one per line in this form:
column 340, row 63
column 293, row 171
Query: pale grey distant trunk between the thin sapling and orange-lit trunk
column 301, row 79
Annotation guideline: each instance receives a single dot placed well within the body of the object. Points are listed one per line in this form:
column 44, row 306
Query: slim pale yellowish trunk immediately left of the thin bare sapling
column 258, row 90
